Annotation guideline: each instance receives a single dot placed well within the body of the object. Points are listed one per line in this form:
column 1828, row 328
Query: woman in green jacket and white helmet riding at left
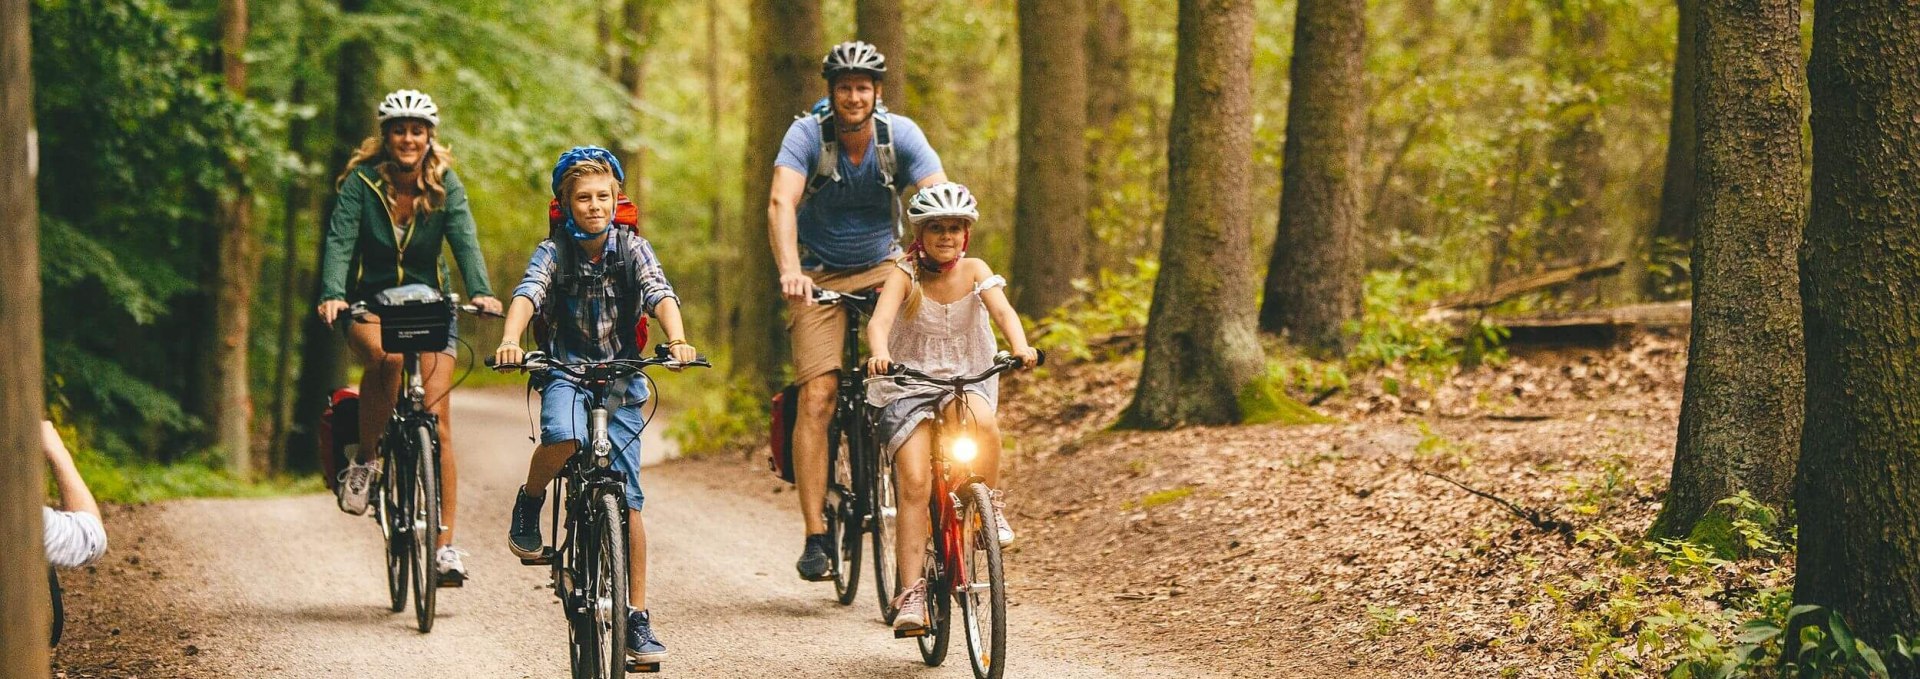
column 398, row 202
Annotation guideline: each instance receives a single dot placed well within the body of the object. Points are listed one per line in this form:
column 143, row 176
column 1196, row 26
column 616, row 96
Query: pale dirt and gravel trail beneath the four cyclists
column 291, row 588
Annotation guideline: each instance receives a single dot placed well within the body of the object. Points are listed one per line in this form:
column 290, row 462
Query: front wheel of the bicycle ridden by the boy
column 600, row 615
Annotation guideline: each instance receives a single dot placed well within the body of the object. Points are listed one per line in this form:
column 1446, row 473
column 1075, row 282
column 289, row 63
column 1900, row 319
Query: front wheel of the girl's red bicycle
column 984, row 619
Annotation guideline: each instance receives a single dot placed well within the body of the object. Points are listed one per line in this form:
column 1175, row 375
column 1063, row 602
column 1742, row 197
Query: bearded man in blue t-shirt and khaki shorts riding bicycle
column 834, row 223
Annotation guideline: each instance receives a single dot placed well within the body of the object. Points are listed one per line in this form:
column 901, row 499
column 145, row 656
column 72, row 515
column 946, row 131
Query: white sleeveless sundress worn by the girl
column 946, row 342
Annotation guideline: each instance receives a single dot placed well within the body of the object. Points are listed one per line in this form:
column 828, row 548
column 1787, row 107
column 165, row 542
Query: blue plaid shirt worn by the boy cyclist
column 587, row 329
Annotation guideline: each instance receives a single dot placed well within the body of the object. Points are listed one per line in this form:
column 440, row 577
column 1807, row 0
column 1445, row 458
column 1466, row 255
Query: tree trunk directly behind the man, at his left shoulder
column 786, row 80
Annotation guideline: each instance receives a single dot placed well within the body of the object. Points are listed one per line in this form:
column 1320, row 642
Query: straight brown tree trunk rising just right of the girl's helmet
column 1051, row 204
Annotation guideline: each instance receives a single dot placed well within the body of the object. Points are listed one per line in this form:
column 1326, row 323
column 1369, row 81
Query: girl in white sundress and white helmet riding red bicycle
column 946, row 302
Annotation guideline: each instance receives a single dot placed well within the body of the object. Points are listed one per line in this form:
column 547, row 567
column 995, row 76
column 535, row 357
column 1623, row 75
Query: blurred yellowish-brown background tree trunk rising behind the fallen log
column 1573, row 229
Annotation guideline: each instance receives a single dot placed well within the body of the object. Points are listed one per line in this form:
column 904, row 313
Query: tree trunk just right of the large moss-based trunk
column 1314, row 279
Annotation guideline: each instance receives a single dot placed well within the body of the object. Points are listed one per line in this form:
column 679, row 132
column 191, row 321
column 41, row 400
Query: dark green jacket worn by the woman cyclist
column 362, row 256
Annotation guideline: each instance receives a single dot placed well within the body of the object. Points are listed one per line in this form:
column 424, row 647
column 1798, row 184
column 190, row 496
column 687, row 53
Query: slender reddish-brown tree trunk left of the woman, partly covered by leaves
column 226, row 402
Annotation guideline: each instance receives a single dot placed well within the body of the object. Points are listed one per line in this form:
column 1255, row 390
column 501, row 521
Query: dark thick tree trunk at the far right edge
column 1860, row 473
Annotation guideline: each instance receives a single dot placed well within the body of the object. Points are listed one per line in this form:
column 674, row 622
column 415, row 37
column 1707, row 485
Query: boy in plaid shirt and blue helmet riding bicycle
column 592, row 283
